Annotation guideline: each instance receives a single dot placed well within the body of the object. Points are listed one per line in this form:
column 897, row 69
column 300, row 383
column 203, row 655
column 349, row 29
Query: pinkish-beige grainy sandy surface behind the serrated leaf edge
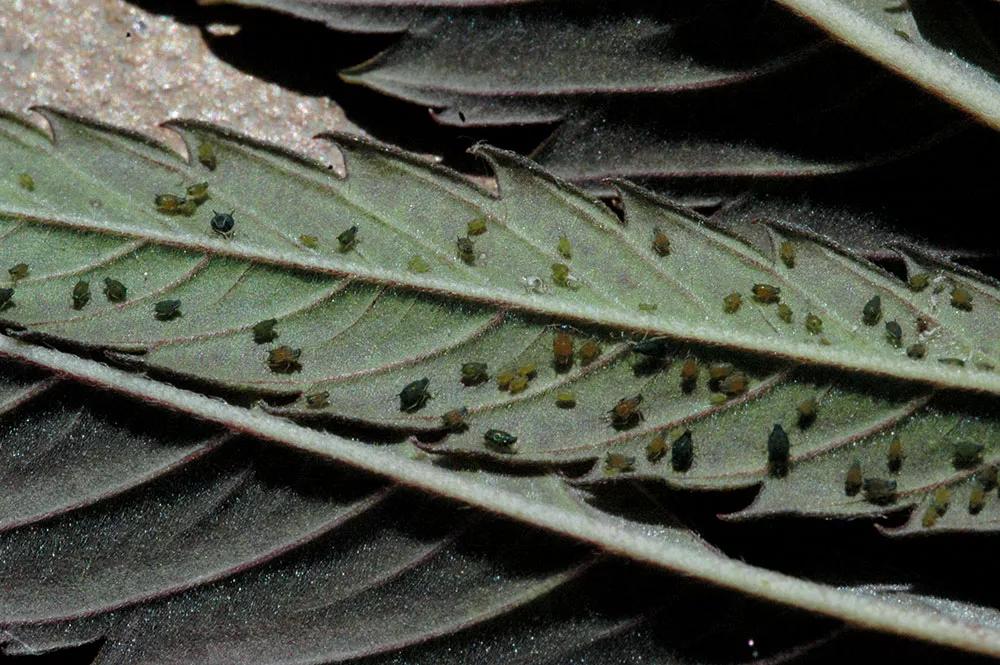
column 112, row 61
